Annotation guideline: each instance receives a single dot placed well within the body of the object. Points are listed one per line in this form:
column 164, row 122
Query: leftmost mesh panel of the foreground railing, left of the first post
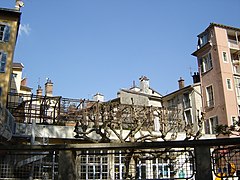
column 28, row 165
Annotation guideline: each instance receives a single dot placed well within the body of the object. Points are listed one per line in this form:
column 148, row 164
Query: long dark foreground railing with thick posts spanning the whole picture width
column 196, row 159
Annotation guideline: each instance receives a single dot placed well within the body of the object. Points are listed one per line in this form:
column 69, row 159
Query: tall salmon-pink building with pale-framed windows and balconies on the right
column 218, row 55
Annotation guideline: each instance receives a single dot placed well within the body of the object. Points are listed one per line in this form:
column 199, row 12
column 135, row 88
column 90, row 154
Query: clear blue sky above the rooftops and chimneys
column 90, row 46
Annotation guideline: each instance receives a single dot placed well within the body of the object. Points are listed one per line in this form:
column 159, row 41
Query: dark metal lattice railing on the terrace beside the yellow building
column 26, row 107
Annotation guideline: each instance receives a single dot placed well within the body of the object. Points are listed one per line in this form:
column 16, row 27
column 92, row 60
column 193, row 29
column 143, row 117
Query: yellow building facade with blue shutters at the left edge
column 9, row 25
